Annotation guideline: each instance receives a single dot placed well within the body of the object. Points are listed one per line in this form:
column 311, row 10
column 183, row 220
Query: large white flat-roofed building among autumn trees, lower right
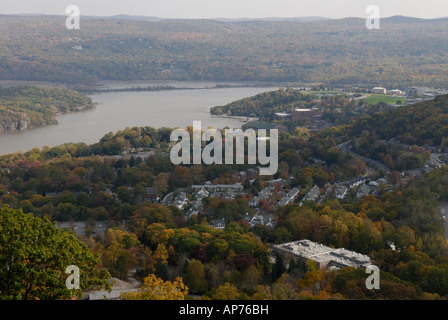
column 324, row 256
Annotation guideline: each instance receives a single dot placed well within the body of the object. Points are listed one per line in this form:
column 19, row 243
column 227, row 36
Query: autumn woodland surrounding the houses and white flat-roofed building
column 76, row 182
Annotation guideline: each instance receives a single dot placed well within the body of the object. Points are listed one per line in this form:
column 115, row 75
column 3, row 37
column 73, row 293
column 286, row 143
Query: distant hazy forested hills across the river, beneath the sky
column 402, row 53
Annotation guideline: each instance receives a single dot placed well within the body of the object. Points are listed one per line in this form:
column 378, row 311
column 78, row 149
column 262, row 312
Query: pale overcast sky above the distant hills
column 232, row 8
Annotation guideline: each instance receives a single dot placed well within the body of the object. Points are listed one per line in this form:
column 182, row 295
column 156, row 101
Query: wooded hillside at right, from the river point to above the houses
column 411, row 129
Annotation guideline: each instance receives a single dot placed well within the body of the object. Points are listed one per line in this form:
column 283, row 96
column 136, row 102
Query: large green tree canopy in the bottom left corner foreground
column 34, row 255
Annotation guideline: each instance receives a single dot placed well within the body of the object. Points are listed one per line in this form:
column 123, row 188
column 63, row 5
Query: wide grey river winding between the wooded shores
column 117, row 110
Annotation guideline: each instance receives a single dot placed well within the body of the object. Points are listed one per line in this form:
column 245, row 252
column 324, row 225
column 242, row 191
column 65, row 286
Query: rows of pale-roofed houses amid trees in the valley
column 278, row 192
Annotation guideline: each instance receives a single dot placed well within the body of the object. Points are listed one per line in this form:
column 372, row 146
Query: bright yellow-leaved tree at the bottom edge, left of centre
column 155, row 288
